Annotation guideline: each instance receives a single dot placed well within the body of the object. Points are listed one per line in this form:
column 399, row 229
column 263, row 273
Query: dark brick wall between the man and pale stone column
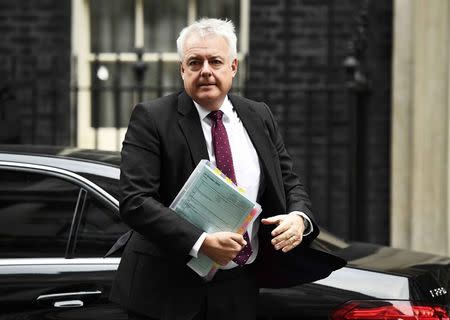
column 297, row 49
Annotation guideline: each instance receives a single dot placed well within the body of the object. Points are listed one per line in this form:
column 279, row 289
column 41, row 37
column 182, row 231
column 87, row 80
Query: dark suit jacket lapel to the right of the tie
column 256, row 131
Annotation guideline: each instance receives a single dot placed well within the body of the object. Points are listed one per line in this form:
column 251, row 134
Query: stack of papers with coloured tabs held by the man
column 213, row 203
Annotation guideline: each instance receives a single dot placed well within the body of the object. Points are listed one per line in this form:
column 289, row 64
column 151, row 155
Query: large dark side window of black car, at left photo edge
column 36, row 212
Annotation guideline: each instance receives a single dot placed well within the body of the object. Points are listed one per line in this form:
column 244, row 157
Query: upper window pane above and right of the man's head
column 224, row 9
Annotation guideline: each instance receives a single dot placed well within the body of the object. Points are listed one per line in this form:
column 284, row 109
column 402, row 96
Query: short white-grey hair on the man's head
column 209, row 27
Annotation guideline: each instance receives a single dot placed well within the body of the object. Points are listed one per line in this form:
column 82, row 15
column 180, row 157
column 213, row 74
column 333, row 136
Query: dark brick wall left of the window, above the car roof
column 35, row 68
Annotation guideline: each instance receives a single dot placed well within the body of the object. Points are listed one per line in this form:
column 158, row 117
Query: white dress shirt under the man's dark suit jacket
column 246, row 167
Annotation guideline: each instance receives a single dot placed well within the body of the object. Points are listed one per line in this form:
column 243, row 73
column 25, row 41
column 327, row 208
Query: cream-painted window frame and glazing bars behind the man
column 83, row 58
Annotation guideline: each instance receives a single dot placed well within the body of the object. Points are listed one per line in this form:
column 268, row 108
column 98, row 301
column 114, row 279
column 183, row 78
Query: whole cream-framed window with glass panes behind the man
column 111, row 75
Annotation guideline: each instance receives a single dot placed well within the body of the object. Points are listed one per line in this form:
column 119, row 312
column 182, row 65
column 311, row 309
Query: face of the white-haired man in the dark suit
column 207, row 70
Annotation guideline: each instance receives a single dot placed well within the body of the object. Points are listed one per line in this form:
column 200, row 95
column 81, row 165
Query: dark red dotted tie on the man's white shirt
column 224, row 161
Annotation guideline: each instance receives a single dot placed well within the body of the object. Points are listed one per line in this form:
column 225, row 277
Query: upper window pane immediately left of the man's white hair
column 163, row 21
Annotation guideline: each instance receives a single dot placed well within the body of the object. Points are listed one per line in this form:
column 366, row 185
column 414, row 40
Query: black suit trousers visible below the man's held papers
column 232, row 294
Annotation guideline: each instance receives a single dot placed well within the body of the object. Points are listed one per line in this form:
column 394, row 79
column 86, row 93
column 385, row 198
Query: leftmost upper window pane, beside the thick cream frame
column 112, row 25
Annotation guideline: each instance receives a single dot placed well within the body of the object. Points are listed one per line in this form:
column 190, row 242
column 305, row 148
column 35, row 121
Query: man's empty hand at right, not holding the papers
column 289, row 231
